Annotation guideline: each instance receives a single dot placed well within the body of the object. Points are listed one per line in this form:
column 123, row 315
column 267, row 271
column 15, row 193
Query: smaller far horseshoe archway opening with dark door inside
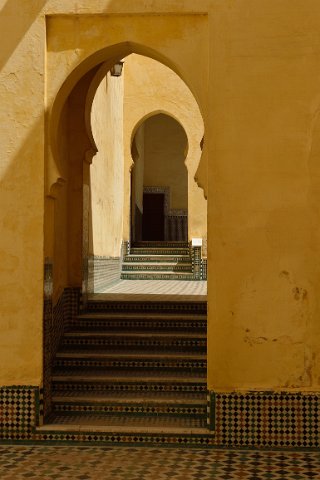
column 159, row 181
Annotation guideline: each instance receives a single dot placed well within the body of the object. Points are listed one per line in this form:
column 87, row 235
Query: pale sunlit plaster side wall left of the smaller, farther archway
column 107, row 168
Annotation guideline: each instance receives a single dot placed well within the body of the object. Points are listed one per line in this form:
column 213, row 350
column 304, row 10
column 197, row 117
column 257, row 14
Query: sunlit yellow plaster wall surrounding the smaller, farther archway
column 151, row 87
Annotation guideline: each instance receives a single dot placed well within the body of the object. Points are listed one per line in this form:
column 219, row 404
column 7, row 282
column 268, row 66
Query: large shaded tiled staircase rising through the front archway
column 133, row 366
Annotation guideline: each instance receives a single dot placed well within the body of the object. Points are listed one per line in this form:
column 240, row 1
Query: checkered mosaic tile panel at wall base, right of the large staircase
column 267, row 419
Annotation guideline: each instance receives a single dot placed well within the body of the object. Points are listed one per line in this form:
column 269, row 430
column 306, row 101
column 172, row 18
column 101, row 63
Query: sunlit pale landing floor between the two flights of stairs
column 164, row 287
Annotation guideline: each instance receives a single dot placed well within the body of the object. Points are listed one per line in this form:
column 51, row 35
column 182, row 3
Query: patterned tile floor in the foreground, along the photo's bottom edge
column 103, row 463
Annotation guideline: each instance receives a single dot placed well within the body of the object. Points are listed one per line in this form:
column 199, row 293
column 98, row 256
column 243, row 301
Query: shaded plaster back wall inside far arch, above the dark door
column 165, row 149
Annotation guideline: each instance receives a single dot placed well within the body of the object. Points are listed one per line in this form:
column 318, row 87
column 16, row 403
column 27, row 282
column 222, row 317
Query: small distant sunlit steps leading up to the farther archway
column 158, row 261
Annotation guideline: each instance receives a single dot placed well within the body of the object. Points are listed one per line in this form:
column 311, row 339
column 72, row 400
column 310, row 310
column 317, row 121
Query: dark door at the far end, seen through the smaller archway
column 153, row 216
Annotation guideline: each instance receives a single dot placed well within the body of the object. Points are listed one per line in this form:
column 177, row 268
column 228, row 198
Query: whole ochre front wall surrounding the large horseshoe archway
column 254, row 69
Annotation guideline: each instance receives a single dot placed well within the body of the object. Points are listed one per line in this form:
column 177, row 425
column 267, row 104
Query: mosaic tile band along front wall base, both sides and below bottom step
column 253, row 419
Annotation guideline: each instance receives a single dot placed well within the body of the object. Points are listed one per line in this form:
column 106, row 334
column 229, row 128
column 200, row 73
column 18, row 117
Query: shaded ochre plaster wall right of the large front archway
column 263, row 252
